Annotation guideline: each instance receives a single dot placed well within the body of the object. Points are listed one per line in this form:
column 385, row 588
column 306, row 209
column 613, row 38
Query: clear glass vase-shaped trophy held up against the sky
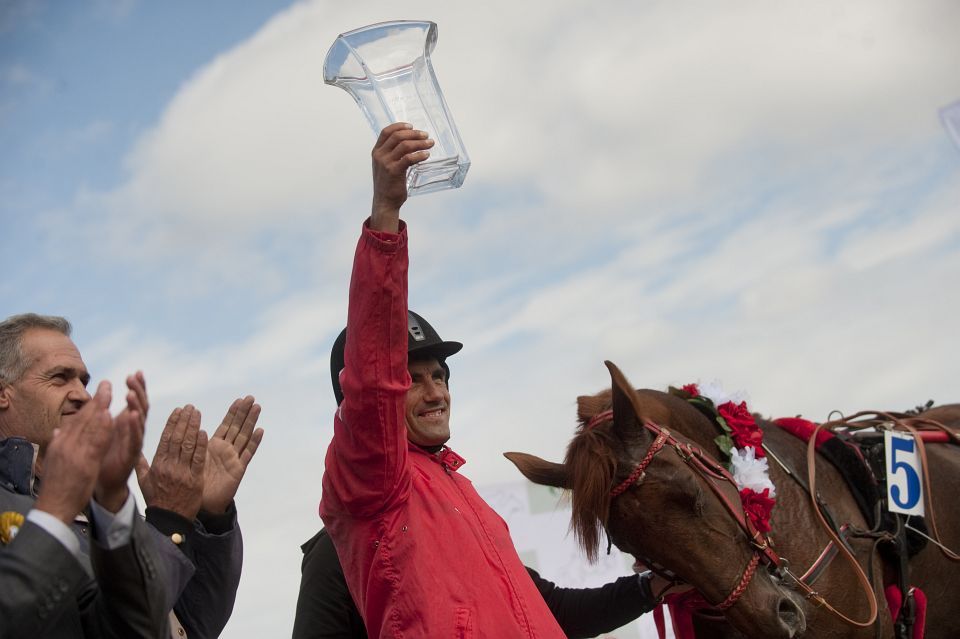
column 386, row 68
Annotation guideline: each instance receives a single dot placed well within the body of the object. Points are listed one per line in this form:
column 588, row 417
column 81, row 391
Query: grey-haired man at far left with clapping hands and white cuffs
column 50, row 586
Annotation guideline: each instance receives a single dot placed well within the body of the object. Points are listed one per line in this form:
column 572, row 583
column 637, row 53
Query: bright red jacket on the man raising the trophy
column 423, row 554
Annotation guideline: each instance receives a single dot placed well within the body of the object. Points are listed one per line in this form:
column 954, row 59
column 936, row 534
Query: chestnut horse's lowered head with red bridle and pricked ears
column 632, row 474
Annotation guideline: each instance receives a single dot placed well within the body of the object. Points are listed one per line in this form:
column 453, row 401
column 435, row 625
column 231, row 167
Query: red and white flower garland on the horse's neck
column 742, row 442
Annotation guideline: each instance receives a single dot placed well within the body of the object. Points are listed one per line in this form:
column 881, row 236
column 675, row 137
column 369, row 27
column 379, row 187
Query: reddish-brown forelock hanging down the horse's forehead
column 592, row 462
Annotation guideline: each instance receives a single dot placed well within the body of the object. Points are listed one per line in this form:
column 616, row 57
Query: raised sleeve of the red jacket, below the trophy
column 366, row 463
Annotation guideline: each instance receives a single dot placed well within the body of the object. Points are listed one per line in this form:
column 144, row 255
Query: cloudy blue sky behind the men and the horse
column 758, row 193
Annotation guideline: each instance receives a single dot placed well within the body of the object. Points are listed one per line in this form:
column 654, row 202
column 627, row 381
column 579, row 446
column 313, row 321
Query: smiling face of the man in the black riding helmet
column 428, row 404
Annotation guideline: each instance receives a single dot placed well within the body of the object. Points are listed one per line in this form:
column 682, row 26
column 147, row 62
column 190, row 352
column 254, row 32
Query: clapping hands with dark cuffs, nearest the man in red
column 192, row 471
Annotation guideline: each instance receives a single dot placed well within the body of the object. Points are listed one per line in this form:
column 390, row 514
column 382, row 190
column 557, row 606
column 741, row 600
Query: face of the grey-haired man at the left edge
column 51, row 389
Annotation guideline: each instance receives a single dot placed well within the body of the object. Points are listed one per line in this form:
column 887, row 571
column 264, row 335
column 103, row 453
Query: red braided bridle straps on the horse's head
column 714, row 475
